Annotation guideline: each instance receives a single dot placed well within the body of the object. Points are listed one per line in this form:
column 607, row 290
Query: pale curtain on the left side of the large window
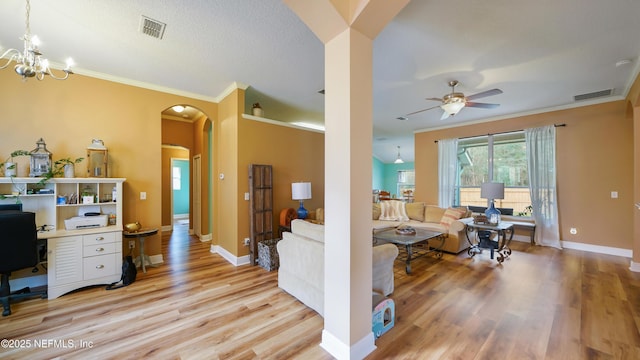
column 447, row 171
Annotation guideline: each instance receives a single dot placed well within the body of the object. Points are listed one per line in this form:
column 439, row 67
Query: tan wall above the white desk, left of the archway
column 68, row 114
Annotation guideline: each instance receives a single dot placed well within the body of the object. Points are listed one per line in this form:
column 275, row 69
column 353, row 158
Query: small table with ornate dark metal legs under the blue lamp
column 504, row 231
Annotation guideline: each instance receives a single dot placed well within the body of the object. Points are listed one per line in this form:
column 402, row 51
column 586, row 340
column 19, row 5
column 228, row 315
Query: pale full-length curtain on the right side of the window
column 541, row 157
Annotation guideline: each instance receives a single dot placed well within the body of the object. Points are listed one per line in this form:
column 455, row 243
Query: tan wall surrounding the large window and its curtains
column 594, row 157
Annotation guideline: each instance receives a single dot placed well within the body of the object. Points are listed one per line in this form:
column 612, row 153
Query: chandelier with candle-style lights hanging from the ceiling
column 29, row 62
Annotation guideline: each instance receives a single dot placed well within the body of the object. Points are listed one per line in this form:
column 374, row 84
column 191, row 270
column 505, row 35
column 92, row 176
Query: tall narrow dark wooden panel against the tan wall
column 260, row 207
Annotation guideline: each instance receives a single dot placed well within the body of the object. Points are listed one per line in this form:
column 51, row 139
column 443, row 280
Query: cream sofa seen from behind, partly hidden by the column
column 301, row 271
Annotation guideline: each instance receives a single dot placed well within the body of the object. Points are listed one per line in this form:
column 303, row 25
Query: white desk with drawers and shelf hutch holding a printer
column 75, row 258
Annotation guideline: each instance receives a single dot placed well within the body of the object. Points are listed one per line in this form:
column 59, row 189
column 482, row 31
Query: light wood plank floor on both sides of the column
column 541, row 304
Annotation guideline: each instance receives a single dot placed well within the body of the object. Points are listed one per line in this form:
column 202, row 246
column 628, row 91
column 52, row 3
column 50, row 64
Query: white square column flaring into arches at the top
column 347, row 28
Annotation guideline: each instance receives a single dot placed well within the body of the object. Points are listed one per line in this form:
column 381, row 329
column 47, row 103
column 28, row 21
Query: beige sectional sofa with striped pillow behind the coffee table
column 421, row 215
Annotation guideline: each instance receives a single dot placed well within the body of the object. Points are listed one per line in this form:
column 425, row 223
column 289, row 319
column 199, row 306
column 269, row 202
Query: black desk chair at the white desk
column 19, row 244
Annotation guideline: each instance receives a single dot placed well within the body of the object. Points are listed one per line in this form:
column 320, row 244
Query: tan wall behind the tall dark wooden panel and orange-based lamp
column 294, row 154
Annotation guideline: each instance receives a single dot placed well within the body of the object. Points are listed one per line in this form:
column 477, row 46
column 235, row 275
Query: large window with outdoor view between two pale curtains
column 508, row 155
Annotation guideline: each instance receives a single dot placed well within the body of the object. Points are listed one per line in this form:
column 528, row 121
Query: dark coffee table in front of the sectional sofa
column 426, row 238
